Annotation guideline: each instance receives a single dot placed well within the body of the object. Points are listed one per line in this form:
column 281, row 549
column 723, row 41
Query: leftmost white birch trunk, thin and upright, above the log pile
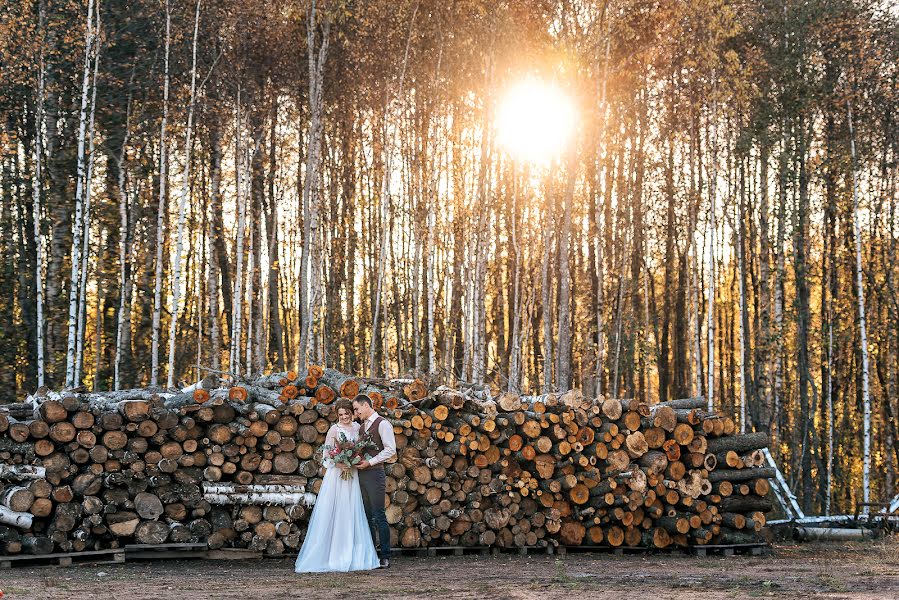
column 36, row 199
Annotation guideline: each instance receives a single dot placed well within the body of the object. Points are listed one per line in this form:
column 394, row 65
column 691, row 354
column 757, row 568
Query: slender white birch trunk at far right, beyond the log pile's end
column 862, row 324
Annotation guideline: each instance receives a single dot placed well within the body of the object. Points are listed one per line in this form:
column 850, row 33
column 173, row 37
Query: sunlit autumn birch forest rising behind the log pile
column 238, row 186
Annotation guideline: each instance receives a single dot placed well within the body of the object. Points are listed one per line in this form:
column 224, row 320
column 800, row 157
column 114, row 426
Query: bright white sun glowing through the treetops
column 535, row 121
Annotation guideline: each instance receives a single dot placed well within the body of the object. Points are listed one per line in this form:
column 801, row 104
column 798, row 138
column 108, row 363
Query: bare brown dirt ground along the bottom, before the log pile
column 832, row 570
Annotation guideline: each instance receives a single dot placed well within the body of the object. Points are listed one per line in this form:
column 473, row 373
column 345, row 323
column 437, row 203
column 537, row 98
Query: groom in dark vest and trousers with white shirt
column 371, row 472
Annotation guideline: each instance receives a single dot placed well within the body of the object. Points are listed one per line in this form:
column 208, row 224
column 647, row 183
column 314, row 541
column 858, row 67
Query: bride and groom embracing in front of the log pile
column 349, row 512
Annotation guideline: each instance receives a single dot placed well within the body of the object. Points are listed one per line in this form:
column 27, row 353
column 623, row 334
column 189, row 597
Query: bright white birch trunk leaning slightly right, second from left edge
column 74, row 286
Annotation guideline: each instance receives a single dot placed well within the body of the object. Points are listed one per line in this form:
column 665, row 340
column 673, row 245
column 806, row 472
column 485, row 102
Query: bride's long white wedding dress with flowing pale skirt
column 338, row 537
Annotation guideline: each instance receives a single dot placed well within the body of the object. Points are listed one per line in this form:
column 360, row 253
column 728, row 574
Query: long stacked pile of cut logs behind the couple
column 236, row 465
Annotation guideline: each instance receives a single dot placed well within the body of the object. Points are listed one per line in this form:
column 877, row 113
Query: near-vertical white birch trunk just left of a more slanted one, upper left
column 161, row 208
